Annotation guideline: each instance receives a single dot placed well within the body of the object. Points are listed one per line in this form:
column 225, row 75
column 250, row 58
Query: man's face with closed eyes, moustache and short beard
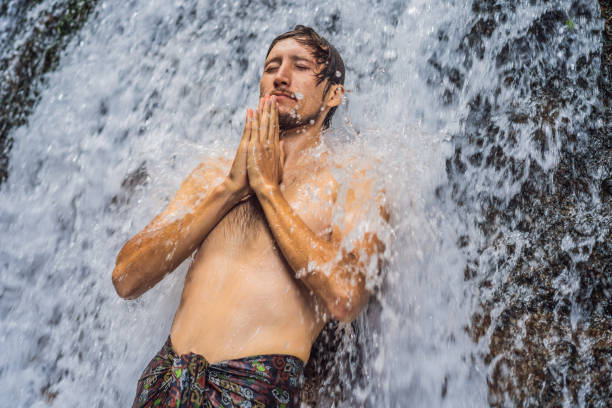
column 290, row 74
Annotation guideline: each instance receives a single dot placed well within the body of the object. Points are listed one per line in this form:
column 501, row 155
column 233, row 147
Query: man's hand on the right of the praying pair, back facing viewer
column 265, row 157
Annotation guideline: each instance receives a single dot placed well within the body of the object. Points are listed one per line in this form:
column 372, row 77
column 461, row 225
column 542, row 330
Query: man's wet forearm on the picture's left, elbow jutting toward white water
column 161, row 247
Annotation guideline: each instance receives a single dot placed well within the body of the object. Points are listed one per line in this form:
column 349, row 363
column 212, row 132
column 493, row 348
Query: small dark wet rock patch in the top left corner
column 31, row 41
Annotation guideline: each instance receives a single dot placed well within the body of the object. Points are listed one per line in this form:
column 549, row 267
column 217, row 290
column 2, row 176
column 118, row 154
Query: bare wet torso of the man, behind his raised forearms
column 240, row 297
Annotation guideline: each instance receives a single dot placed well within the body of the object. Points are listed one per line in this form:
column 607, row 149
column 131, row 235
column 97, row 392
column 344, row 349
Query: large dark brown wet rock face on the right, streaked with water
column 543, row 255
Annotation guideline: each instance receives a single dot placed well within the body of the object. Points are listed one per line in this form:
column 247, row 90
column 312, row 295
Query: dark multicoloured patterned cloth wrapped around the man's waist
column 189, row 381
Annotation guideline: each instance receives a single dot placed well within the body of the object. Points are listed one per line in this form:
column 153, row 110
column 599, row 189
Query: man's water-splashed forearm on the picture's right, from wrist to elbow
column 334, row 278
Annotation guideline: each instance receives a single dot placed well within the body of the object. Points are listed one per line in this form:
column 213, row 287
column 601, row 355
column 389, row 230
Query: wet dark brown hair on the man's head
column 324, row 53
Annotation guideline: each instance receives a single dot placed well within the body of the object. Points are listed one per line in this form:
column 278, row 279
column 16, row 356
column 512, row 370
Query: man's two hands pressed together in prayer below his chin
column 258, row 164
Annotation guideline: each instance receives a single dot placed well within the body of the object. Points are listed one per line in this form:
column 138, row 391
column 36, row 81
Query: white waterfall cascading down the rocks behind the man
column 491, row 138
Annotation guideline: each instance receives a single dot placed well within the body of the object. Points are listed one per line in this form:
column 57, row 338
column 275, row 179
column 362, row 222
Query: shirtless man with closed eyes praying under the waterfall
column 270, row 269
